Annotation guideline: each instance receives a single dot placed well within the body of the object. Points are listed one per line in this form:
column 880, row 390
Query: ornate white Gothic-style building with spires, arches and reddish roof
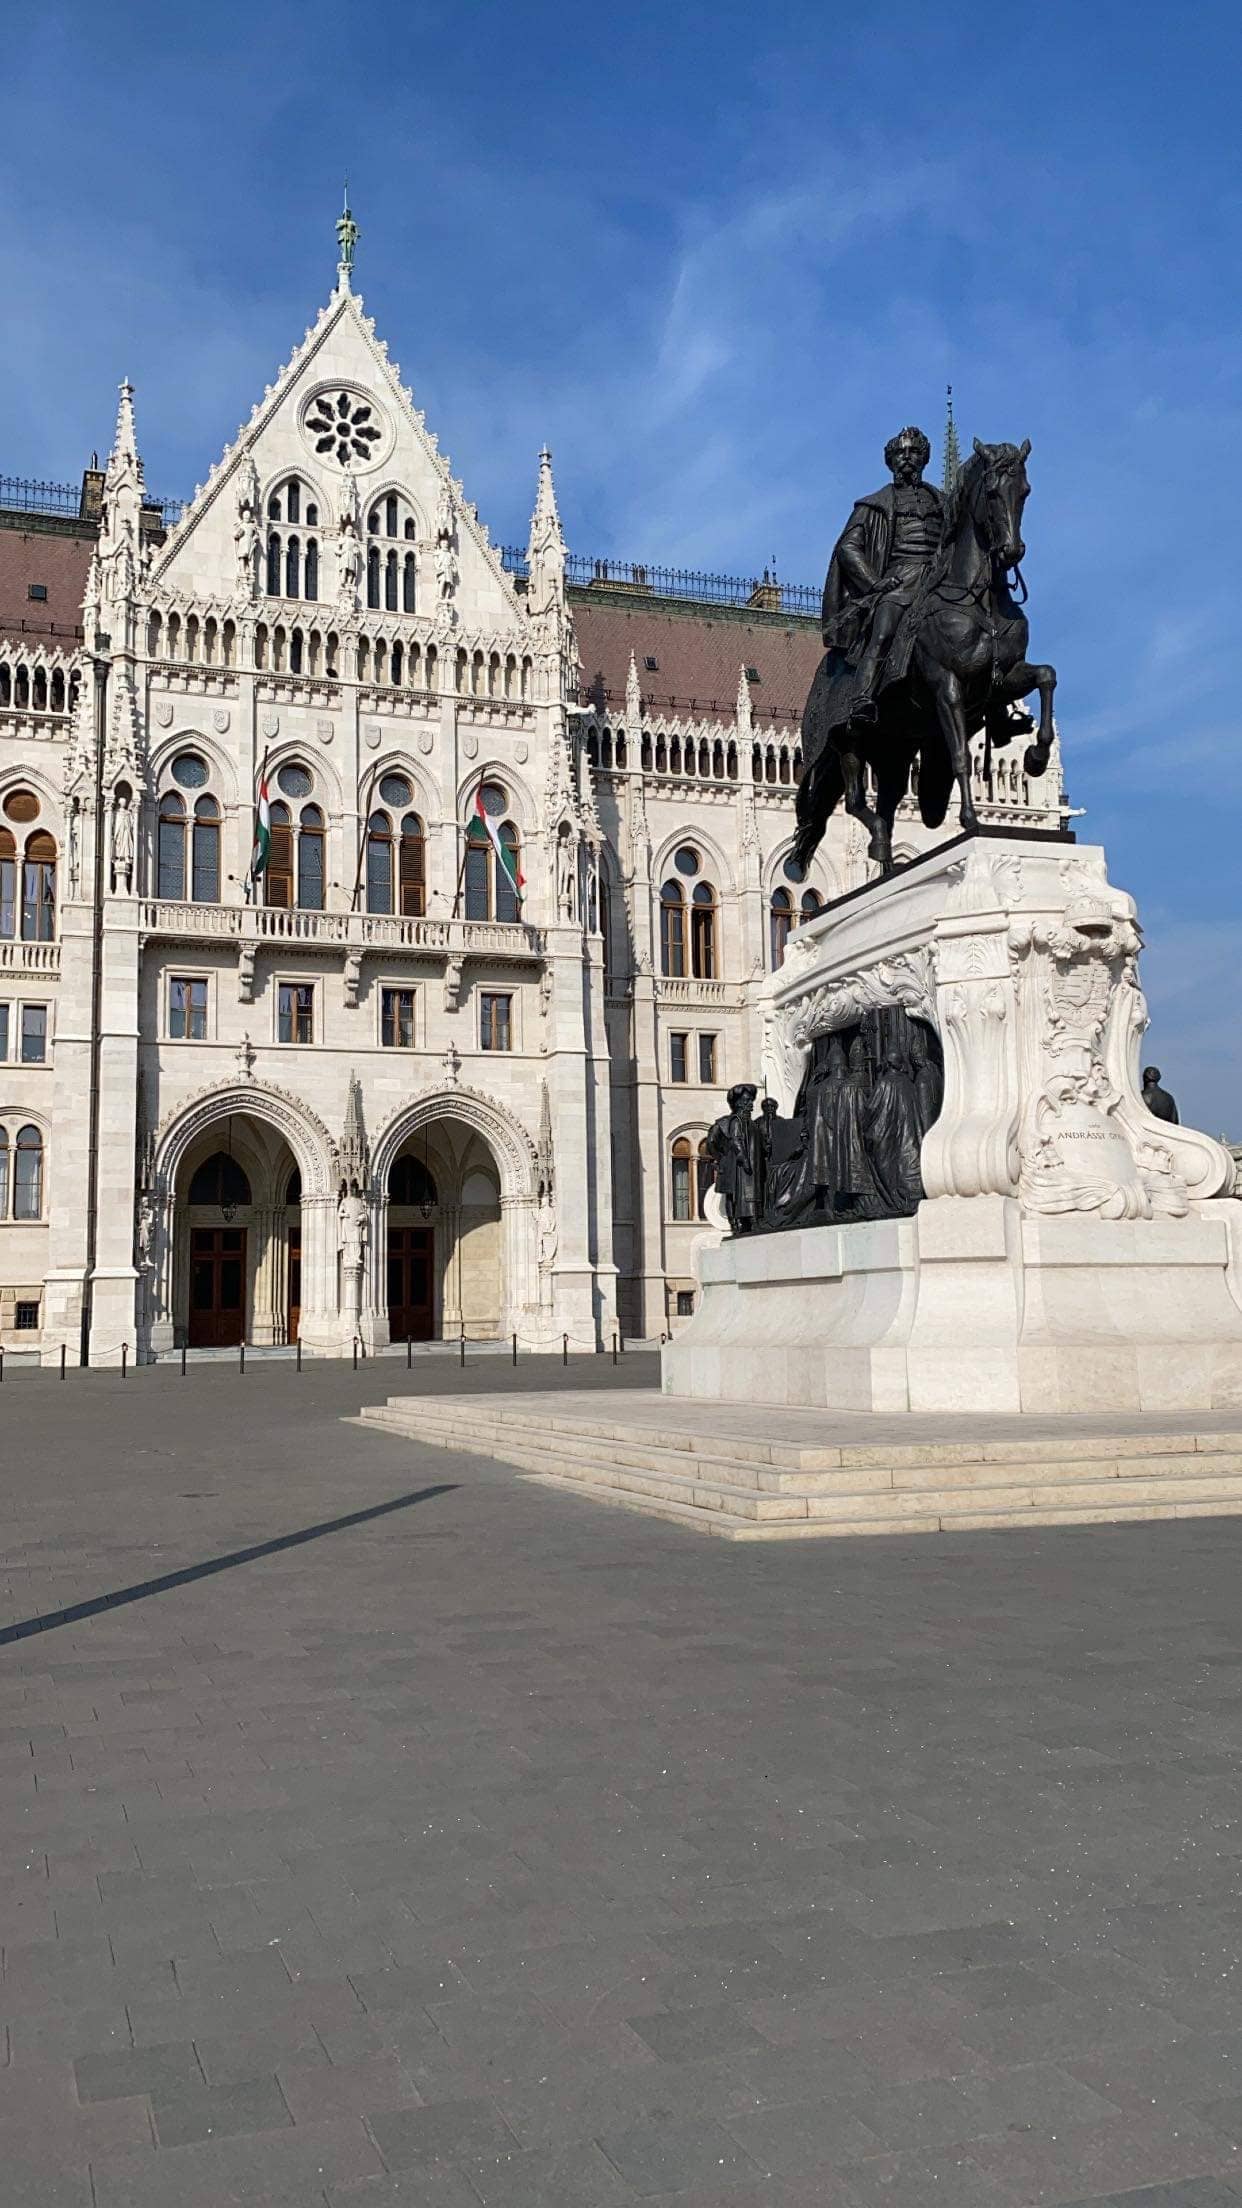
column 383, row 911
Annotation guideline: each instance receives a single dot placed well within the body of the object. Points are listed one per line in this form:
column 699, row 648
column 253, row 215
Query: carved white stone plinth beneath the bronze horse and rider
column 1073, row 1253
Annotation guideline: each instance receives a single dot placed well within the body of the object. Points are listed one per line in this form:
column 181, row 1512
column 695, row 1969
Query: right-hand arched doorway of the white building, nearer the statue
column 445, row 1251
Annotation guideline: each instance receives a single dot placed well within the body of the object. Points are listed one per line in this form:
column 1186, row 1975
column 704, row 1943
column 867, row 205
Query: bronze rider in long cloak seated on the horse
column 876, row 571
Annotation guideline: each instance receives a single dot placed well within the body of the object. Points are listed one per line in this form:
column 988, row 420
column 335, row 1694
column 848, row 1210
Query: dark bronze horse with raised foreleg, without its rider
column 967, row 668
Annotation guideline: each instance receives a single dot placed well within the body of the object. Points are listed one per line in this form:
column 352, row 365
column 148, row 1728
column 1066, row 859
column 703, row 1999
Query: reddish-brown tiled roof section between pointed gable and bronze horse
column 699, row 655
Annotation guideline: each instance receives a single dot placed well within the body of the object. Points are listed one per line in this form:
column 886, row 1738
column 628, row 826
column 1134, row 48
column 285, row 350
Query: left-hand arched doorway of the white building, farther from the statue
column 238, row 1238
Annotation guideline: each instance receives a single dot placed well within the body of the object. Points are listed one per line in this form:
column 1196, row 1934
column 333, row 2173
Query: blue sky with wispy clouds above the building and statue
column 715, row 255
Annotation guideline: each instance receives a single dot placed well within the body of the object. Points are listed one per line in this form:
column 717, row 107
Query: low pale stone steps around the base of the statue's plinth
column 746, row 1476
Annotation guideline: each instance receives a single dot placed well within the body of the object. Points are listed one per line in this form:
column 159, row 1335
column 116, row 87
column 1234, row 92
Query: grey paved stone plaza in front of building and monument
column 492, row 1847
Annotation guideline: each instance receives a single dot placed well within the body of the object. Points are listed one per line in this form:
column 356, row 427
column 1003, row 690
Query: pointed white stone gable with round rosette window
column 339, row 379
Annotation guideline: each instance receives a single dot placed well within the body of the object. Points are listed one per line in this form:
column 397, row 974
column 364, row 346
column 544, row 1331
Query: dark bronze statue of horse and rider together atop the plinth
column 925, row 648
